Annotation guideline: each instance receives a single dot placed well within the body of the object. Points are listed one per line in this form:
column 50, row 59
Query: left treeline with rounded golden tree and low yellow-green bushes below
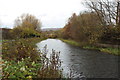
column 26, row 26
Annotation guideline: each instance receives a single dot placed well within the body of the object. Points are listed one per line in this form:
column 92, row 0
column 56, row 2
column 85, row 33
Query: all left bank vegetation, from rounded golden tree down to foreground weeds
column 20, row 57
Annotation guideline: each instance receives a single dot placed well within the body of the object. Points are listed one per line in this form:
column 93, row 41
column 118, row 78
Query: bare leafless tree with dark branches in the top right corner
column 107, row 11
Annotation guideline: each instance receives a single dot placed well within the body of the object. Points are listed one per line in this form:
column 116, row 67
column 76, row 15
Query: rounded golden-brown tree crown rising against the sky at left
column 28, row 21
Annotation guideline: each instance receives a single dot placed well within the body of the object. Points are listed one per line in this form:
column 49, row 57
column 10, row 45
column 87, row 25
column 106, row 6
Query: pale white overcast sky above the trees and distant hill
column 52, row 13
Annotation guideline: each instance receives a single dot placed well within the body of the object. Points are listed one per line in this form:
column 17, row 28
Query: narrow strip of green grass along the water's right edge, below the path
column 114, row 51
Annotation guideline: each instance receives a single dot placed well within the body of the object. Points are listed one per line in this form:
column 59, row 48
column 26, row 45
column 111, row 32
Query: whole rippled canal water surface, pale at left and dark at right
column 92, row 63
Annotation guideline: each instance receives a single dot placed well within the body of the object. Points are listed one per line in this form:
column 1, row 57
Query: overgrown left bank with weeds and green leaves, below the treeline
column 21, row 59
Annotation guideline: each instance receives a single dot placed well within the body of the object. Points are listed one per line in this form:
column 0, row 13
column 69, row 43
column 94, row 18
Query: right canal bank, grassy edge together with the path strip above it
column 107, row 48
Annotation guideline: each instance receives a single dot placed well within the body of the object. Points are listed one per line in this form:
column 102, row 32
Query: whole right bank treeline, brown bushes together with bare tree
column 100, row 24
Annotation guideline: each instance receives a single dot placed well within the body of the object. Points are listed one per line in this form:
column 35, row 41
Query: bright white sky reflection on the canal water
column 58, row 46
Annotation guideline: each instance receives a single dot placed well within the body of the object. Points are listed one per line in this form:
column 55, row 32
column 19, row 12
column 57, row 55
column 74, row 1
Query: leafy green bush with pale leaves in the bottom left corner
column 26, row 68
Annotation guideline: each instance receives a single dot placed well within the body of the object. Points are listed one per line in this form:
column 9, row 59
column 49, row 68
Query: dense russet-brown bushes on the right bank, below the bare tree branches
column 86, row 28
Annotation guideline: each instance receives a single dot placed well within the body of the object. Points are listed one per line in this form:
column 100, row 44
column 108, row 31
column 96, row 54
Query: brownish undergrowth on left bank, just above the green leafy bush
column 19, row 49
